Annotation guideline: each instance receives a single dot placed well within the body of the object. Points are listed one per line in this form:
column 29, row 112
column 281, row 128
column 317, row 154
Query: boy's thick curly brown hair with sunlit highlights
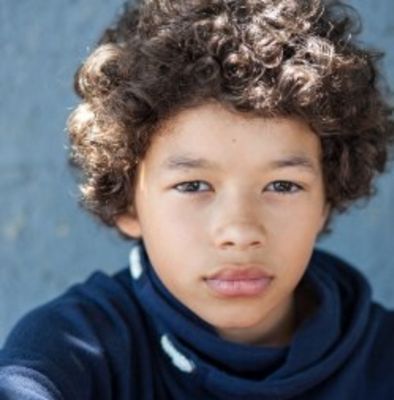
column 270, row 58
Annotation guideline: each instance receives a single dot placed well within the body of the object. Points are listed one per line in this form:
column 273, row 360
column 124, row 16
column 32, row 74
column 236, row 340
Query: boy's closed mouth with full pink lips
column 236, row 281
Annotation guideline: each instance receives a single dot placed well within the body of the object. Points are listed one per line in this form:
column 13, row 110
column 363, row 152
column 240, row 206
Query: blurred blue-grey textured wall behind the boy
column 46, row 242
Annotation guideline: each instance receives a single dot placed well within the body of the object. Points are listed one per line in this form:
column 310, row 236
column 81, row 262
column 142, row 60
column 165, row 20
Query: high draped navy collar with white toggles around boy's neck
column 226, row 369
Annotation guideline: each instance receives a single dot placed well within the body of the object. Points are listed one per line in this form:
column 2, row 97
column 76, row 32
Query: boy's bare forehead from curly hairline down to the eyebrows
column 211, row 135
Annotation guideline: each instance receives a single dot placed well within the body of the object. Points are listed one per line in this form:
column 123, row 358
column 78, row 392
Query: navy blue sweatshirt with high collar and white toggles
column 125, row 337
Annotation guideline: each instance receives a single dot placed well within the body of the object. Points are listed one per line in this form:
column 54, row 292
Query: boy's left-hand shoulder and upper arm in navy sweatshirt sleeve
column 82, row 334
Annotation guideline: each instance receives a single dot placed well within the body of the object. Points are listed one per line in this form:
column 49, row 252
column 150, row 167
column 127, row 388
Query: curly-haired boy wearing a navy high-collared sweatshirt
column 222, row 136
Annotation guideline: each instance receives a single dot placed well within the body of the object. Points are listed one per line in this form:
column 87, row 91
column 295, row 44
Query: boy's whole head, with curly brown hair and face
column 229, row 131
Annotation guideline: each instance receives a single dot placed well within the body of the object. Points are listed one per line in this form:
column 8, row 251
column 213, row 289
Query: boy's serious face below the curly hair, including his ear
column 229, row 209
